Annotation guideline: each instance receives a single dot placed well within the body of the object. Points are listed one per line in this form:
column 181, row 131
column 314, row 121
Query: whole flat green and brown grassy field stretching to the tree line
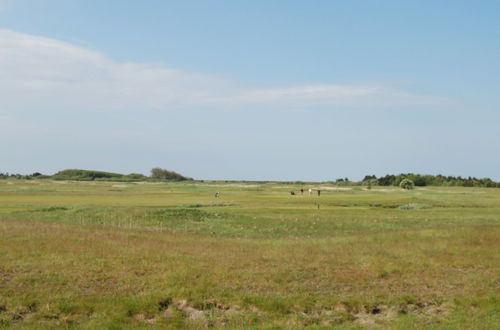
column 170, row 255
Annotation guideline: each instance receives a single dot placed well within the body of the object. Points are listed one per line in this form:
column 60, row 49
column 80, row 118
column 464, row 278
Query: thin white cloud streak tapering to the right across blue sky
column 41, row 72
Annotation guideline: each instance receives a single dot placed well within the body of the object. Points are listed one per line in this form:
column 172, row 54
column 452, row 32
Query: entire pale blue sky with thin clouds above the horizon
column 251, row 90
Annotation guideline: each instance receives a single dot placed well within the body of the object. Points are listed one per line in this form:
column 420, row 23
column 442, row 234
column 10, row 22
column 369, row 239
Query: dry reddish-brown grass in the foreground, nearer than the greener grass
column 276, row 281
